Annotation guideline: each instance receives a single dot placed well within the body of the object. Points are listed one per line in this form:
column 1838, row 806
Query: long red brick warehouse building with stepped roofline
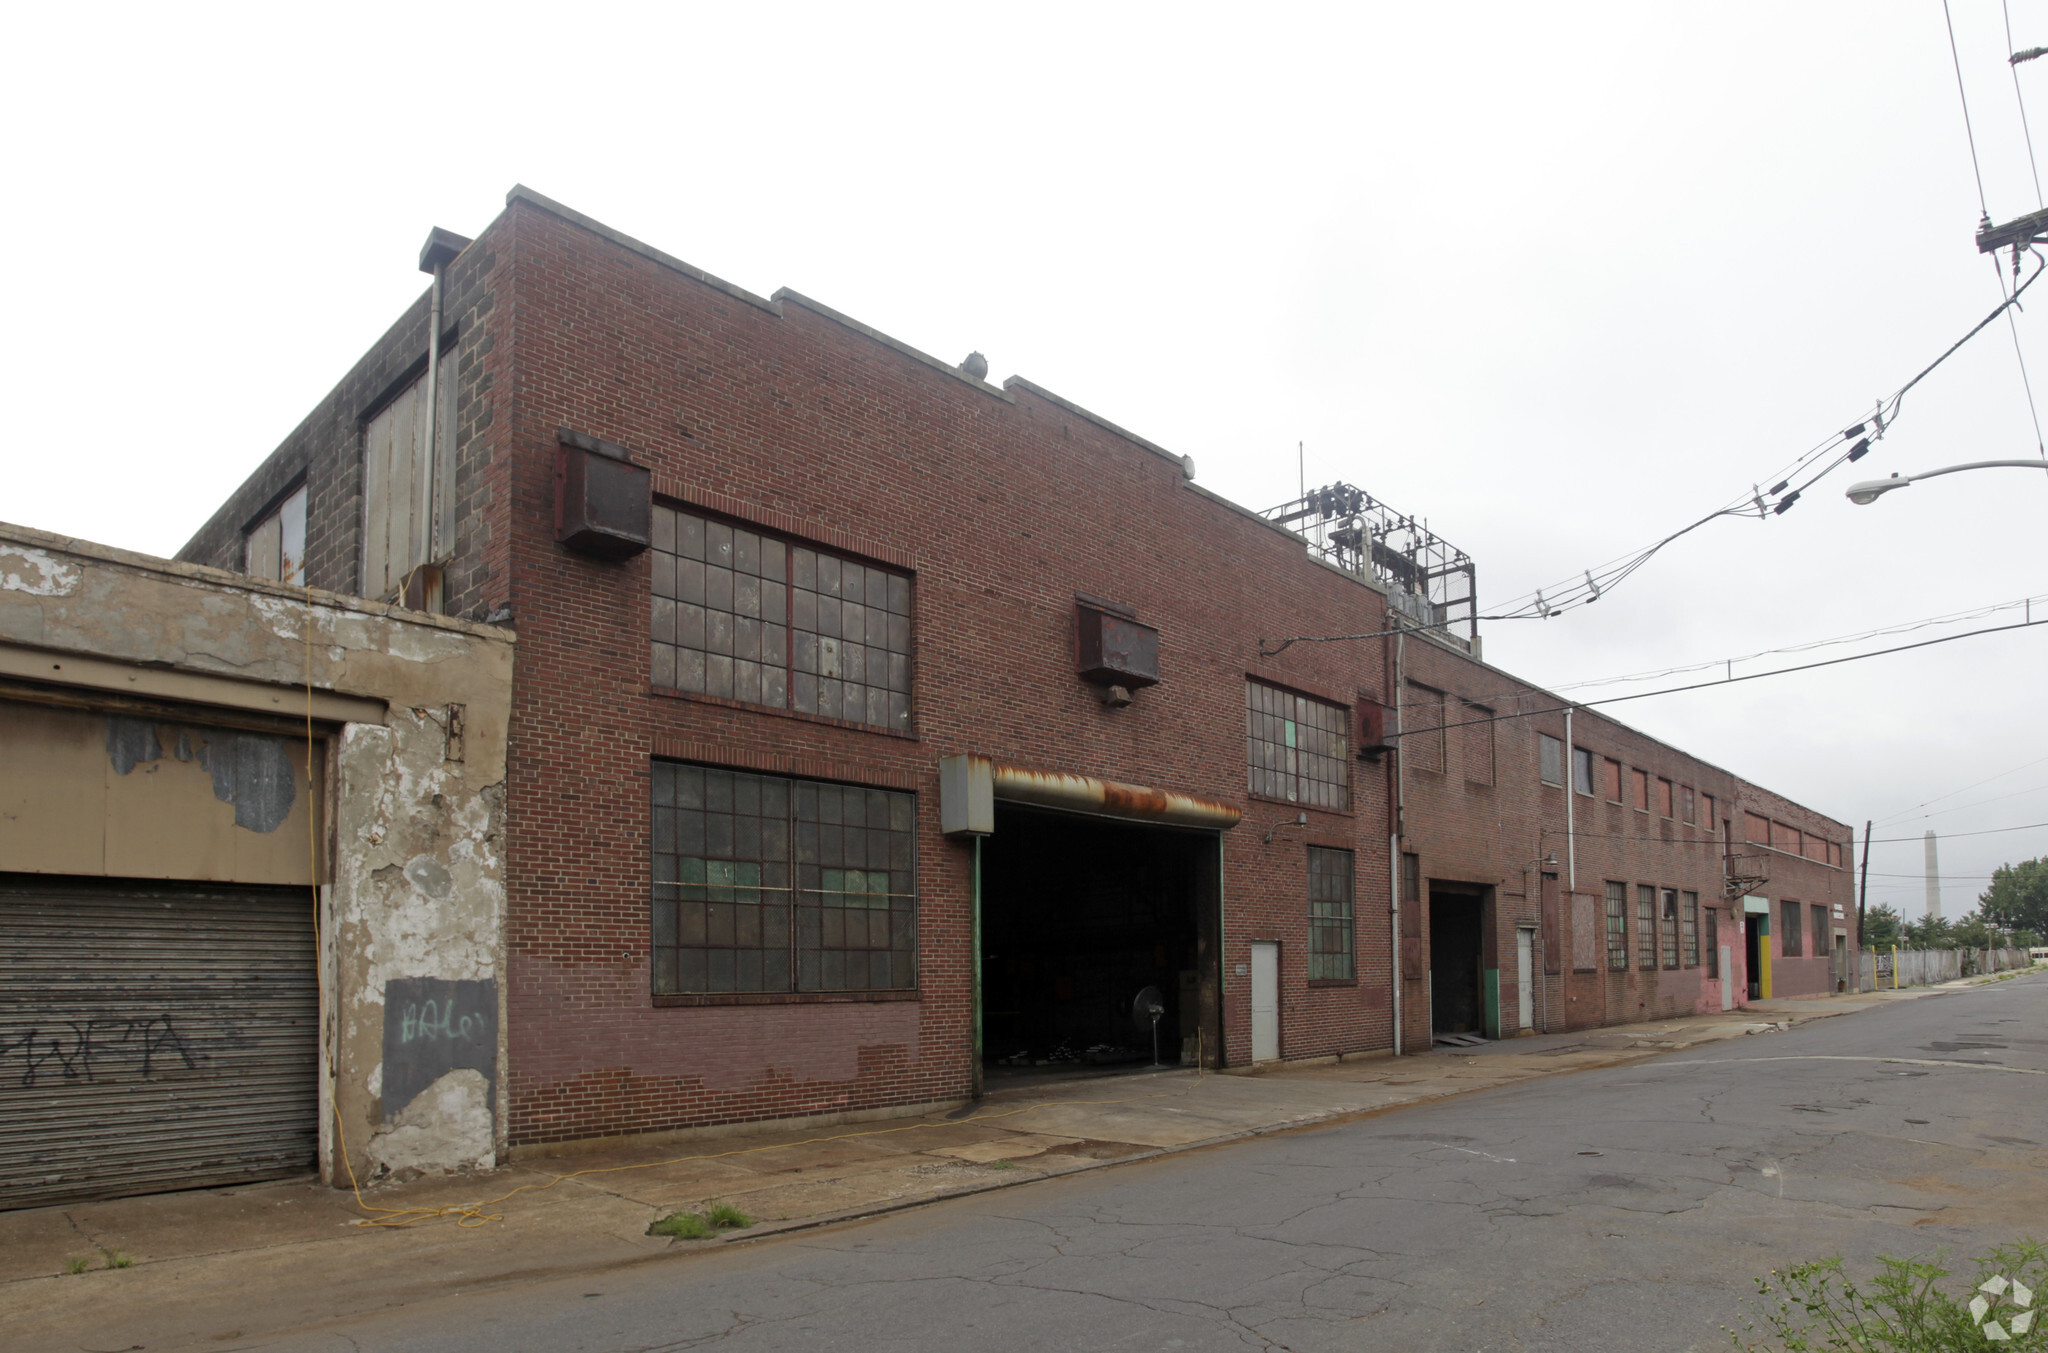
column 777, row 578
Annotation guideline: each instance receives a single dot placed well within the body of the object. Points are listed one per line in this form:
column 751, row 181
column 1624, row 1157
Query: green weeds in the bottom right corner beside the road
column 1904, row 1309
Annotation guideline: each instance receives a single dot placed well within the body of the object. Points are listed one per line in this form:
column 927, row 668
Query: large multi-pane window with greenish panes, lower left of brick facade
column 765, row 883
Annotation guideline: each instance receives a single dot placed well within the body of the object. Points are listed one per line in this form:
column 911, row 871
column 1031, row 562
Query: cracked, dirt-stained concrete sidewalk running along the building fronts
column 230, row 1264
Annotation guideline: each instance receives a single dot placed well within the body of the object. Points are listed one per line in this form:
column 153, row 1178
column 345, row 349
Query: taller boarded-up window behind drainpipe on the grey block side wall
column 396, row 531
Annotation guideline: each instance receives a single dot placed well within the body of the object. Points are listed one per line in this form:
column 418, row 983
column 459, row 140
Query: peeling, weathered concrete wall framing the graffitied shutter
column 407, row 719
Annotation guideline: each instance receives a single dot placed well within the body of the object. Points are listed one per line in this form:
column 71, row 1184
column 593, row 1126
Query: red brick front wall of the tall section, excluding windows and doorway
column 1005, row 507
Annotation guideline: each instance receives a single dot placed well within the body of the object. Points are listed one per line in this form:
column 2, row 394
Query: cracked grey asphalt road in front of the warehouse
column 1625, row 1209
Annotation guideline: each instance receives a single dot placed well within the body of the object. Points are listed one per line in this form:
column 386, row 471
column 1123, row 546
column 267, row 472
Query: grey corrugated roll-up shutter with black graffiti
column 153, row 1037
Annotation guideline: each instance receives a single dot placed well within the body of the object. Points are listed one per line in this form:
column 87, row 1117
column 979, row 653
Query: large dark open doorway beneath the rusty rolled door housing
column 1078, row 916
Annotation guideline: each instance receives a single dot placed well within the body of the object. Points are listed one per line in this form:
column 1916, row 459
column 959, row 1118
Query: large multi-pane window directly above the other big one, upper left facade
column 765, row 621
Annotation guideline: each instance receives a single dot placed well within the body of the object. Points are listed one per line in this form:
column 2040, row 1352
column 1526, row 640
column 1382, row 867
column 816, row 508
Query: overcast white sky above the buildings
column 1555, row 277
